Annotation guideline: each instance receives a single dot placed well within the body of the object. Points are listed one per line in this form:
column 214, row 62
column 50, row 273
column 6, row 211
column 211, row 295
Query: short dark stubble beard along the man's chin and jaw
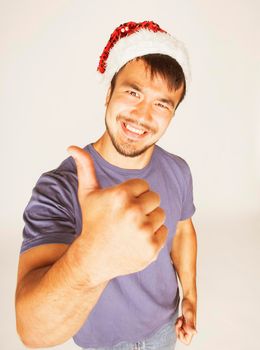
column 127, row 149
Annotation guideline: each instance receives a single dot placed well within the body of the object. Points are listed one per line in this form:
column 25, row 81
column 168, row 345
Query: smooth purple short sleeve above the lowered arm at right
column 188, row 207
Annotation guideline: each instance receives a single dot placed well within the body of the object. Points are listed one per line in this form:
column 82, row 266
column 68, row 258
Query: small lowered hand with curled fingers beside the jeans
column 185, row 325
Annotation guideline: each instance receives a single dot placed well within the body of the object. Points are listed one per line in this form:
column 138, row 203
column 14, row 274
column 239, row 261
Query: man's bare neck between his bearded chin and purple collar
column 106, row 149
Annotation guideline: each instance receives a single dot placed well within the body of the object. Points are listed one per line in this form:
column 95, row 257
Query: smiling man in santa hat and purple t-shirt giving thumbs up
column 106, row 232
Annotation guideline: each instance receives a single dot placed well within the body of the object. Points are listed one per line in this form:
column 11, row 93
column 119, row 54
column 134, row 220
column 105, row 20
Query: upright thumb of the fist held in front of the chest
column 87, row 180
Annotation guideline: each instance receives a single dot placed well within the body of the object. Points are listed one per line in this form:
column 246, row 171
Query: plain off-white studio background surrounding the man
column 50, row 99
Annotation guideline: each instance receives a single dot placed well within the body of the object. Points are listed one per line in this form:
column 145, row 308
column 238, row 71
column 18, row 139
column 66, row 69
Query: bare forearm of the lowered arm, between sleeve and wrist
column 184, row 256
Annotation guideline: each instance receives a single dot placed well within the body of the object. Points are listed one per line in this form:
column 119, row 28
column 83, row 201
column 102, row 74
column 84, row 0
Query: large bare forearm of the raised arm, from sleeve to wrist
column 53, row 302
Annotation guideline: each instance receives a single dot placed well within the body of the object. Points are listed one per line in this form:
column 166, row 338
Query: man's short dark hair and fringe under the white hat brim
column 165, row 66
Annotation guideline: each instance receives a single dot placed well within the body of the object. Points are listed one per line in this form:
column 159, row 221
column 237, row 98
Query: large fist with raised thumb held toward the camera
column 121, row 225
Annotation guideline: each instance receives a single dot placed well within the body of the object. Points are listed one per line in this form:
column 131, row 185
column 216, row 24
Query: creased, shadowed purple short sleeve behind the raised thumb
column 49, row 215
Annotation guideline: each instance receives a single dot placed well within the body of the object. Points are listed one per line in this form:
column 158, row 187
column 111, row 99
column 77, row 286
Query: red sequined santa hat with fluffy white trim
column 132, row 39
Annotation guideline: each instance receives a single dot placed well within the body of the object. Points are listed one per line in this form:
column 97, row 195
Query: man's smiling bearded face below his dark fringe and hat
column 139, row 110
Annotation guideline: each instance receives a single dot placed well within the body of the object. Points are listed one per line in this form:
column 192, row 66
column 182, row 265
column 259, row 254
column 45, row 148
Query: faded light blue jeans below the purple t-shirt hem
column 163, row 339
